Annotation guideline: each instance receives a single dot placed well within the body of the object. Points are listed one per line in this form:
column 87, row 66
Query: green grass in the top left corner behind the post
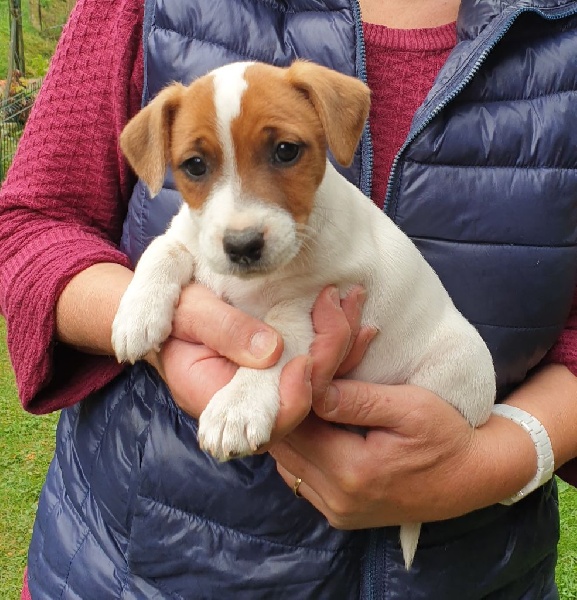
column 38, row 46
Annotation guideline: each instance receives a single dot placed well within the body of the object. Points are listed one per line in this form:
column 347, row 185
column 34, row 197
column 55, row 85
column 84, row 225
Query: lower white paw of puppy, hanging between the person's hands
column 236, row 424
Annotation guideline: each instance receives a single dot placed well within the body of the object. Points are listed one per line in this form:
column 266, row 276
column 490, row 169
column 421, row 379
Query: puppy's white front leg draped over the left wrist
column 144, row 317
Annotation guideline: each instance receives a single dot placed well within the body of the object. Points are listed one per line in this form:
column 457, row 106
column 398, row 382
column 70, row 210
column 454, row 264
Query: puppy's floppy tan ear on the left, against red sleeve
column 145, row 141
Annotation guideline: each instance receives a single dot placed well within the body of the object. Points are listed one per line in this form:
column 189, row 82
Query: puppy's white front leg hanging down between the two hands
column 240, row 417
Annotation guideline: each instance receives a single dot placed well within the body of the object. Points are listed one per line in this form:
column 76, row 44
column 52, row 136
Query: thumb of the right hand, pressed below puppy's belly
column 365, row 404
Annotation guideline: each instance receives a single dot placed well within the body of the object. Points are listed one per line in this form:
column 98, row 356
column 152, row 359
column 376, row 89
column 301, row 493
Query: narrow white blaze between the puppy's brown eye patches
column 229, row 86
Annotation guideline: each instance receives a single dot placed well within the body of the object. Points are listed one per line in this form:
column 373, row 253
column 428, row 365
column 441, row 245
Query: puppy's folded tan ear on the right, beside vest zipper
column 342, row 103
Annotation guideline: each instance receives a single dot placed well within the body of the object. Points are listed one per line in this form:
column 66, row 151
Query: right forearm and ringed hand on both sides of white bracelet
column 420, row 461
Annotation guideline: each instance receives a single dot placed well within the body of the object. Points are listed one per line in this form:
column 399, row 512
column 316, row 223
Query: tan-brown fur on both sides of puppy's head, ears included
column 306, row 104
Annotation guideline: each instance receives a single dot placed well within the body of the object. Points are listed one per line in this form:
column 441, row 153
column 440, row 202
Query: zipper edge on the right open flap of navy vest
column 488, row 47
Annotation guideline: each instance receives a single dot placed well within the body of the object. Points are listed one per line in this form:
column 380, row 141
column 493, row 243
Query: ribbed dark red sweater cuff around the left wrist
column 51, row 376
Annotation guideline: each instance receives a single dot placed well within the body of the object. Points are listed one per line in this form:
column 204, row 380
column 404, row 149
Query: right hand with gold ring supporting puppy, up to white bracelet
column 419, row 460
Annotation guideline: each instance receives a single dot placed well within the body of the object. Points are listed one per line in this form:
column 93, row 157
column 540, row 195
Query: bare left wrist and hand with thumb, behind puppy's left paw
column 209, row 337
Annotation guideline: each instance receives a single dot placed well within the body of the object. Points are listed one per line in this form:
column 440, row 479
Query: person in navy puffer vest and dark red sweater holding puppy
column 468, row 151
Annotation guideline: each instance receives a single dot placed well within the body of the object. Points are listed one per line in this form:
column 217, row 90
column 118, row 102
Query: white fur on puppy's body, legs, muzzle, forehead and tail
column 424, row 340
